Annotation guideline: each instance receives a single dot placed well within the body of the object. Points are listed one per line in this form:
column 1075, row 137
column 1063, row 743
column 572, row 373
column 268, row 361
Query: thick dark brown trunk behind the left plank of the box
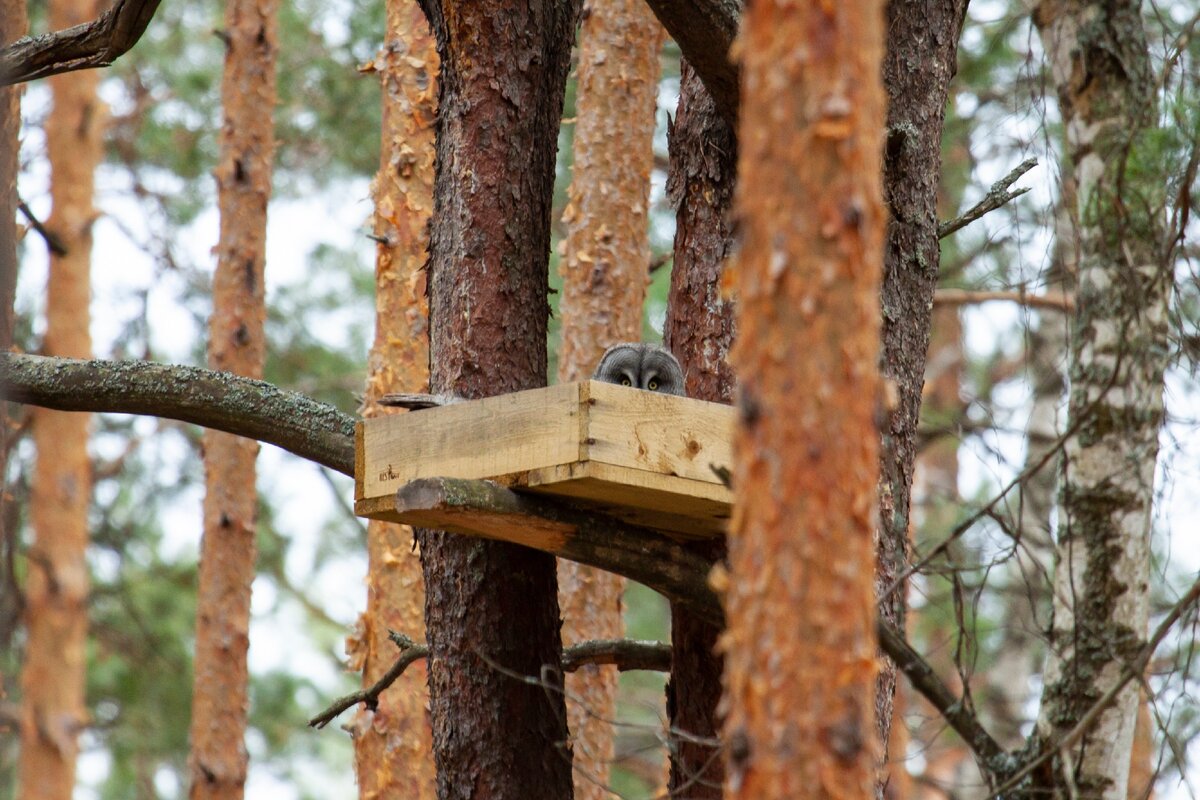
column 491, row 609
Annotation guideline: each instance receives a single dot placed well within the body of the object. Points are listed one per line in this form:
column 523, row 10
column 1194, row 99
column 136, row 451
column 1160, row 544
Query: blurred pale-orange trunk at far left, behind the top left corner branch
column 53, row 675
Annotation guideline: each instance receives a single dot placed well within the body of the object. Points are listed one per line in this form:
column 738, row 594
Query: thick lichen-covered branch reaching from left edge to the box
column 215, row 400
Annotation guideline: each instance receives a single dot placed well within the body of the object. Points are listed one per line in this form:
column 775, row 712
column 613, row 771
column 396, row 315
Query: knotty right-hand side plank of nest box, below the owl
column 658, row 434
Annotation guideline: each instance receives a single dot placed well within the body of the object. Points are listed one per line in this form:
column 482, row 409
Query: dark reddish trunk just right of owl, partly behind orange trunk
column 699, row 330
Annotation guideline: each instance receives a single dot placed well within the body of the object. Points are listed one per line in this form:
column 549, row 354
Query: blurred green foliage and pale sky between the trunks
column 152, row 300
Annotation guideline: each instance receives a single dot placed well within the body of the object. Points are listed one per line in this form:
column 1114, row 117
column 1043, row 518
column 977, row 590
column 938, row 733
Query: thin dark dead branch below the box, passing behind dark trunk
column 625, row 654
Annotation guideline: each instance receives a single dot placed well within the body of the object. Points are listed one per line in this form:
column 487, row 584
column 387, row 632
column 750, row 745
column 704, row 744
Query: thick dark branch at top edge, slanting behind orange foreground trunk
column 705, row 32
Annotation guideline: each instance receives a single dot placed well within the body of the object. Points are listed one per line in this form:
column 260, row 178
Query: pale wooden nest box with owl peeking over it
column 647, row 459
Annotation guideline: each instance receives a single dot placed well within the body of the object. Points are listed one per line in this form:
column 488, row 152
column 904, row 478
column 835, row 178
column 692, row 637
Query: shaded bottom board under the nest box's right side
column 691, row 509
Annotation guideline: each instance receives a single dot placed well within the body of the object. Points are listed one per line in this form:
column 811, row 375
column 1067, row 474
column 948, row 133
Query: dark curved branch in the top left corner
column 92, row 45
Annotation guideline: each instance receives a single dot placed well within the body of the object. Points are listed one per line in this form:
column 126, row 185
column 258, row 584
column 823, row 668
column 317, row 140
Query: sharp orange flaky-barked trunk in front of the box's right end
column 801, row 648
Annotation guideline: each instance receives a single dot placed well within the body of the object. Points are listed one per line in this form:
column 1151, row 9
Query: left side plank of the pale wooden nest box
column 489, row 438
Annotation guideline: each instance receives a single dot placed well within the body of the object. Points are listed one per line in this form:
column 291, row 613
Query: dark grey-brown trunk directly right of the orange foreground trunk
column 926, row 33
